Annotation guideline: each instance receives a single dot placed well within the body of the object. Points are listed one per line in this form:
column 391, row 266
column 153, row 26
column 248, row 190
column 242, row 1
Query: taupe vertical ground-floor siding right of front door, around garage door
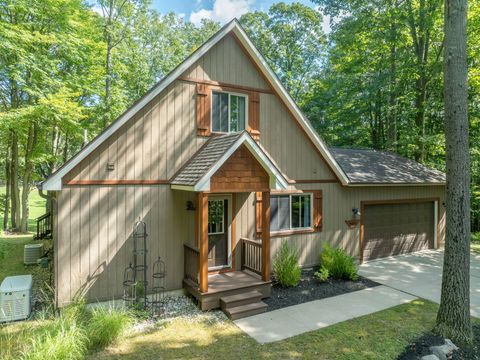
column 338, row 202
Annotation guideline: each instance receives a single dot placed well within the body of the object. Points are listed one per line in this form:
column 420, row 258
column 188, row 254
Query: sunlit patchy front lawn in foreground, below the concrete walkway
column 382, row 335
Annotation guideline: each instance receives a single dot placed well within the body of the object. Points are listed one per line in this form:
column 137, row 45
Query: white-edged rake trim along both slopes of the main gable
column 54, row 181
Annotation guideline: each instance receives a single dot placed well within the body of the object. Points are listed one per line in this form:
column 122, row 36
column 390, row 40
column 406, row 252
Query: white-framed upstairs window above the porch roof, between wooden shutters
column 228, row 112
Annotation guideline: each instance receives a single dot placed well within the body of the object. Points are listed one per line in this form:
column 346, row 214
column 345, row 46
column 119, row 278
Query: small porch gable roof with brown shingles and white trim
column 196, row 174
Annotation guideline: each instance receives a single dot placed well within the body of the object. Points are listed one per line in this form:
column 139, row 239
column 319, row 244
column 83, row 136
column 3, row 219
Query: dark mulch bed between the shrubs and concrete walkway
column 310, row 289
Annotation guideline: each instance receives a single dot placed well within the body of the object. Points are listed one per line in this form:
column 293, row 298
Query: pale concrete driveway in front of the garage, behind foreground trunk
column 420, row 274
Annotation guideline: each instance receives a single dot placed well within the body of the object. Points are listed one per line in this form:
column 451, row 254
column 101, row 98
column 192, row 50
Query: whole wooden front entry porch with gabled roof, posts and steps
column 228, row 165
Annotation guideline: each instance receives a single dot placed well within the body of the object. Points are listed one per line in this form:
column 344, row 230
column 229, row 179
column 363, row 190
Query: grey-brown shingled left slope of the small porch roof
column 205, row 158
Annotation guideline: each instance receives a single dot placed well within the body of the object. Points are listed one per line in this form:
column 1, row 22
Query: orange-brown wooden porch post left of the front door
column 203, row 241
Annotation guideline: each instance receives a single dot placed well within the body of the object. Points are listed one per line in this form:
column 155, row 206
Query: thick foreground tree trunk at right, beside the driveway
column 453, row 318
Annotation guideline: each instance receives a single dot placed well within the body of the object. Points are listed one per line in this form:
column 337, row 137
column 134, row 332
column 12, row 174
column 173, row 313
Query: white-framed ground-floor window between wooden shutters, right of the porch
column 290, row 212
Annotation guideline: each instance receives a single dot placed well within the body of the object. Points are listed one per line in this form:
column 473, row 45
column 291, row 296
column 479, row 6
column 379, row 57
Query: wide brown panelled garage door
column 393, row 229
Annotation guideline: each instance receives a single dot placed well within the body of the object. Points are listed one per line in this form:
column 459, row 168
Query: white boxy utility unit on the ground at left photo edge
column 15, row 298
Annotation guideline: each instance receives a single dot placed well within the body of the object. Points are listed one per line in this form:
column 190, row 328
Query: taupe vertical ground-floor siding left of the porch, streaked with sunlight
column 94, row 243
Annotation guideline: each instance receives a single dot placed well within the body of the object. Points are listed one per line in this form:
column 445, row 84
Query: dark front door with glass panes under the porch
column 219, row 249
